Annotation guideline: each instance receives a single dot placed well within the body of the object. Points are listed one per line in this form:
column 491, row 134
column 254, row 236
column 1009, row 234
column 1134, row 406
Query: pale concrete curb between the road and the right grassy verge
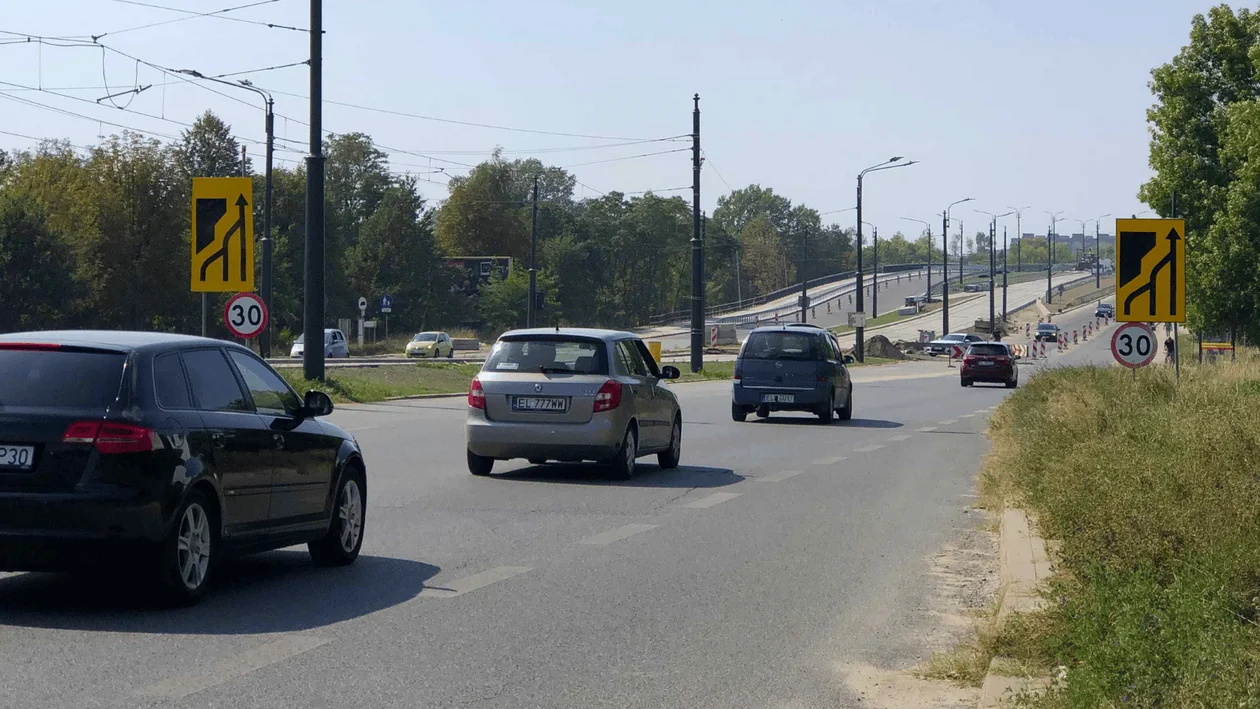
column 1024, row 564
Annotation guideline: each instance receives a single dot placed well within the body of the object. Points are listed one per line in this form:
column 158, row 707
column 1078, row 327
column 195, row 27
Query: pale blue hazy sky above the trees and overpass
column 1014, row 104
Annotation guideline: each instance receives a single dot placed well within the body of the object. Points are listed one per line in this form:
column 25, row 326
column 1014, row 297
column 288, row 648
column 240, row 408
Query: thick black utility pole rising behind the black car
column 313, row 308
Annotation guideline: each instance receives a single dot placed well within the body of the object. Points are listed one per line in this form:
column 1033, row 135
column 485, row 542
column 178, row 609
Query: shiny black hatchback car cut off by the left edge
column 166, row 454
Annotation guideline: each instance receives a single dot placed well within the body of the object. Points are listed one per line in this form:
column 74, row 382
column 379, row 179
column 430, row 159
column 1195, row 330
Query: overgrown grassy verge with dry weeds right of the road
column 1152, row 489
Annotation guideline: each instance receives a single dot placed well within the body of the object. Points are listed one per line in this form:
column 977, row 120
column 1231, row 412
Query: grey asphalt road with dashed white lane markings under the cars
column 782, row 553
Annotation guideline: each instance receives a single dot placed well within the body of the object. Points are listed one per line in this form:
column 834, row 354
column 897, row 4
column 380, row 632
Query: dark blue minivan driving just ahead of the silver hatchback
column 792, row 368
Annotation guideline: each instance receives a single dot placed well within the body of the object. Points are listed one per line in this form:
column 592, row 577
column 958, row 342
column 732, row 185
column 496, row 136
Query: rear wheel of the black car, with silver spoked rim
column 191, row 552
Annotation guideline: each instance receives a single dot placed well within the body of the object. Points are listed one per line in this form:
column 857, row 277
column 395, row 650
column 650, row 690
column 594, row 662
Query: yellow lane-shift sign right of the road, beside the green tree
column 1151, row 270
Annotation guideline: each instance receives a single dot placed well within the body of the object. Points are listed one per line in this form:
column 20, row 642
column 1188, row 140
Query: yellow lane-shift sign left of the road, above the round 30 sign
column 222, row 235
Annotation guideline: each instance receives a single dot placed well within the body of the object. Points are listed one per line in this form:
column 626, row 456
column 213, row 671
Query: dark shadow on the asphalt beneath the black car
column 274, row 593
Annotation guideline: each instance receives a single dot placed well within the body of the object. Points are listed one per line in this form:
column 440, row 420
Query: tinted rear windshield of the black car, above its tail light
column 60, row 380
